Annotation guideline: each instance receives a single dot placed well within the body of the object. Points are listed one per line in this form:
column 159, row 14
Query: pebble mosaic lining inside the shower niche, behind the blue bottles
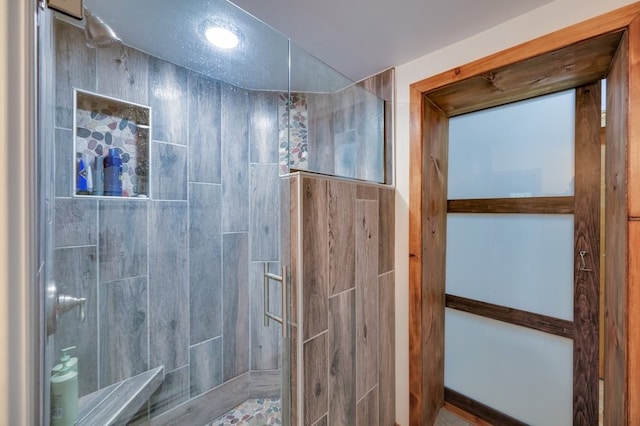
column 101, row 124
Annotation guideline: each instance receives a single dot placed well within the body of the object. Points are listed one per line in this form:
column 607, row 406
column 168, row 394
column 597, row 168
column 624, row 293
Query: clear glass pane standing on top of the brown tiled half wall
column 336, row 127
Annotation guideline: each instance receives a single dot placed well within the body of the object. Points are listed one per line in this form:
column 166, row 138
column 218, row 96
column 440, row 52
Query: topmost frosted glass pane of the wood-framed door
column 524, row 149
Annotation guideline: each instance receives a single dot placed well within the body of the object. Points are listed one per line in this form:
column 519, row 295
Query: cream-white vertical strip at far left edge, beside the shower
column 18, row 354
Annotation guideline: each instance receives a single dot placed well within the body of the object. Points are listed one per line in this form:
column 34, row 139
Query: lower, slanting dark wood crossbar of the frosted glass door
column 539, row 322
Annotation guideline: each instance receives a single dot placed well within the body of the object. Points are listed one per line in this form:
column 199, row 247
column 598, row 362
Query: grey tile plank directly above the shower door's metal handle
column 264, row 219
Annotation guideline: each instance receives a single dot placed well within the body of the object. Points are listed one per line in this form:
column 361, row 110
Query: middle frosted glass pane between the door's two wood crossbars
column 522, row 261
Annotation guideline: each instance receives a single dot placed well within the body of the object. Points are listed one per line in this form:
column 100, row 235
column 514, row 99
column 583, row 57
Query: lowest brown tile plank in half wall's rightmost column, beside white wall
column 387, row 364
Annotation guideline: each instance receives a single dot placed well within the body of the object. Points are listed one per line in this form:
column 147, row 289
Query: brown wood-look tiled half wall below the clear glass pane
column 344, row 281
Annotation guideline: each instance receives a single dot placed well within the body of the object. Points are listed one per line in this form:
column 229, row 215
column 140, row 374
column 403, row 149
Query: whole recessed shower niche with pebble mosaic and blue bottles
column 111, row 155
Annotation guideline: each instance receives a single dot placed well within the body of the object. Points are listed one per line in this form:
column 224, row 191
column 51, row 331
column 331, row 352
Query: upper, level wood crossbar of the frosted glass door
column 537, row 205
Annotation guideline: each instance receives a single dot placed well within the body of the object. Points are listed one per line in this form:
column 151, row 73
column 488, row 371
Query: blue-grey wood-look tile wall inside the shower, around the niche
column 174, row 280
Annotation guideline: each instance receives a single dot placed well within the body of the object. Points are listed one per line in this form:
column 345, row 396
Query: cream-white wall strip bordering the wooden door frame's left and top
column 551, row 17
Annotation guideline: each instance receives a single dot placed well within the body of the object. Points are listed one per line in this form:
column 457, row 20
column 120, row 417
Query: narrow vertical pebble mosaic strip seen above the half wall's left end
column 293, row 134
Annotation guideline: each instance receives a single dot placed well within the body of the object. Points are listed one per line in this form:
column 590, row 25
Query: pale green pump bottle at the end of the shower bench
column 64, row 391
